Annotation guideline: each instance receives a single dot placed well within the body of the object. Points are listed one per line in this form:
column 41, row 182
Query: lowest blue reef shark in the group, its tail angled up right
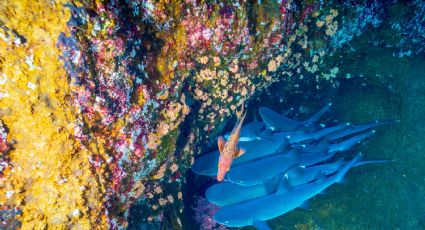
column 257, row 211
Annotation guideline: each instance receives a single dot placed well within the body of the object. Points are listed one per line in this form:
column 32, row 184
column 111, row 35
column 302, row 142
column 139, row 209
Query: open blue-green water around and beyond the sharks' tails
column 388, row 196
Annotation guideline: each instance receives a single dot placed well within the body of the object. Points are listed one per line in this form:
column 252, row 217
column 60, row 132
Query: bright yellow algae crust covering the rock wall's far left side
column 52, row 181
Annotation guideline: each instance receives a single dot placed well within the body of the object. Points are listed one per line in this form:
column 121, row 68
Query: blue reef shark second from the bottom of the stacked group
column 228, row 193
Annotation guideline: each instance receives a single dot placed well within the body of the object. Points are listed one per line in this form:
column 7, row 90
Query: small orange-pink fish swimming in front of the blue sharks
column 230, row 149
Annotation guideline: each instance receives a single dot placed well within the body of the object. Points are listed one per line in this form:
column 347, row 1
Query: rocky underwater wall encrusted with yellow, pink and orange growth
column 105, row 104
